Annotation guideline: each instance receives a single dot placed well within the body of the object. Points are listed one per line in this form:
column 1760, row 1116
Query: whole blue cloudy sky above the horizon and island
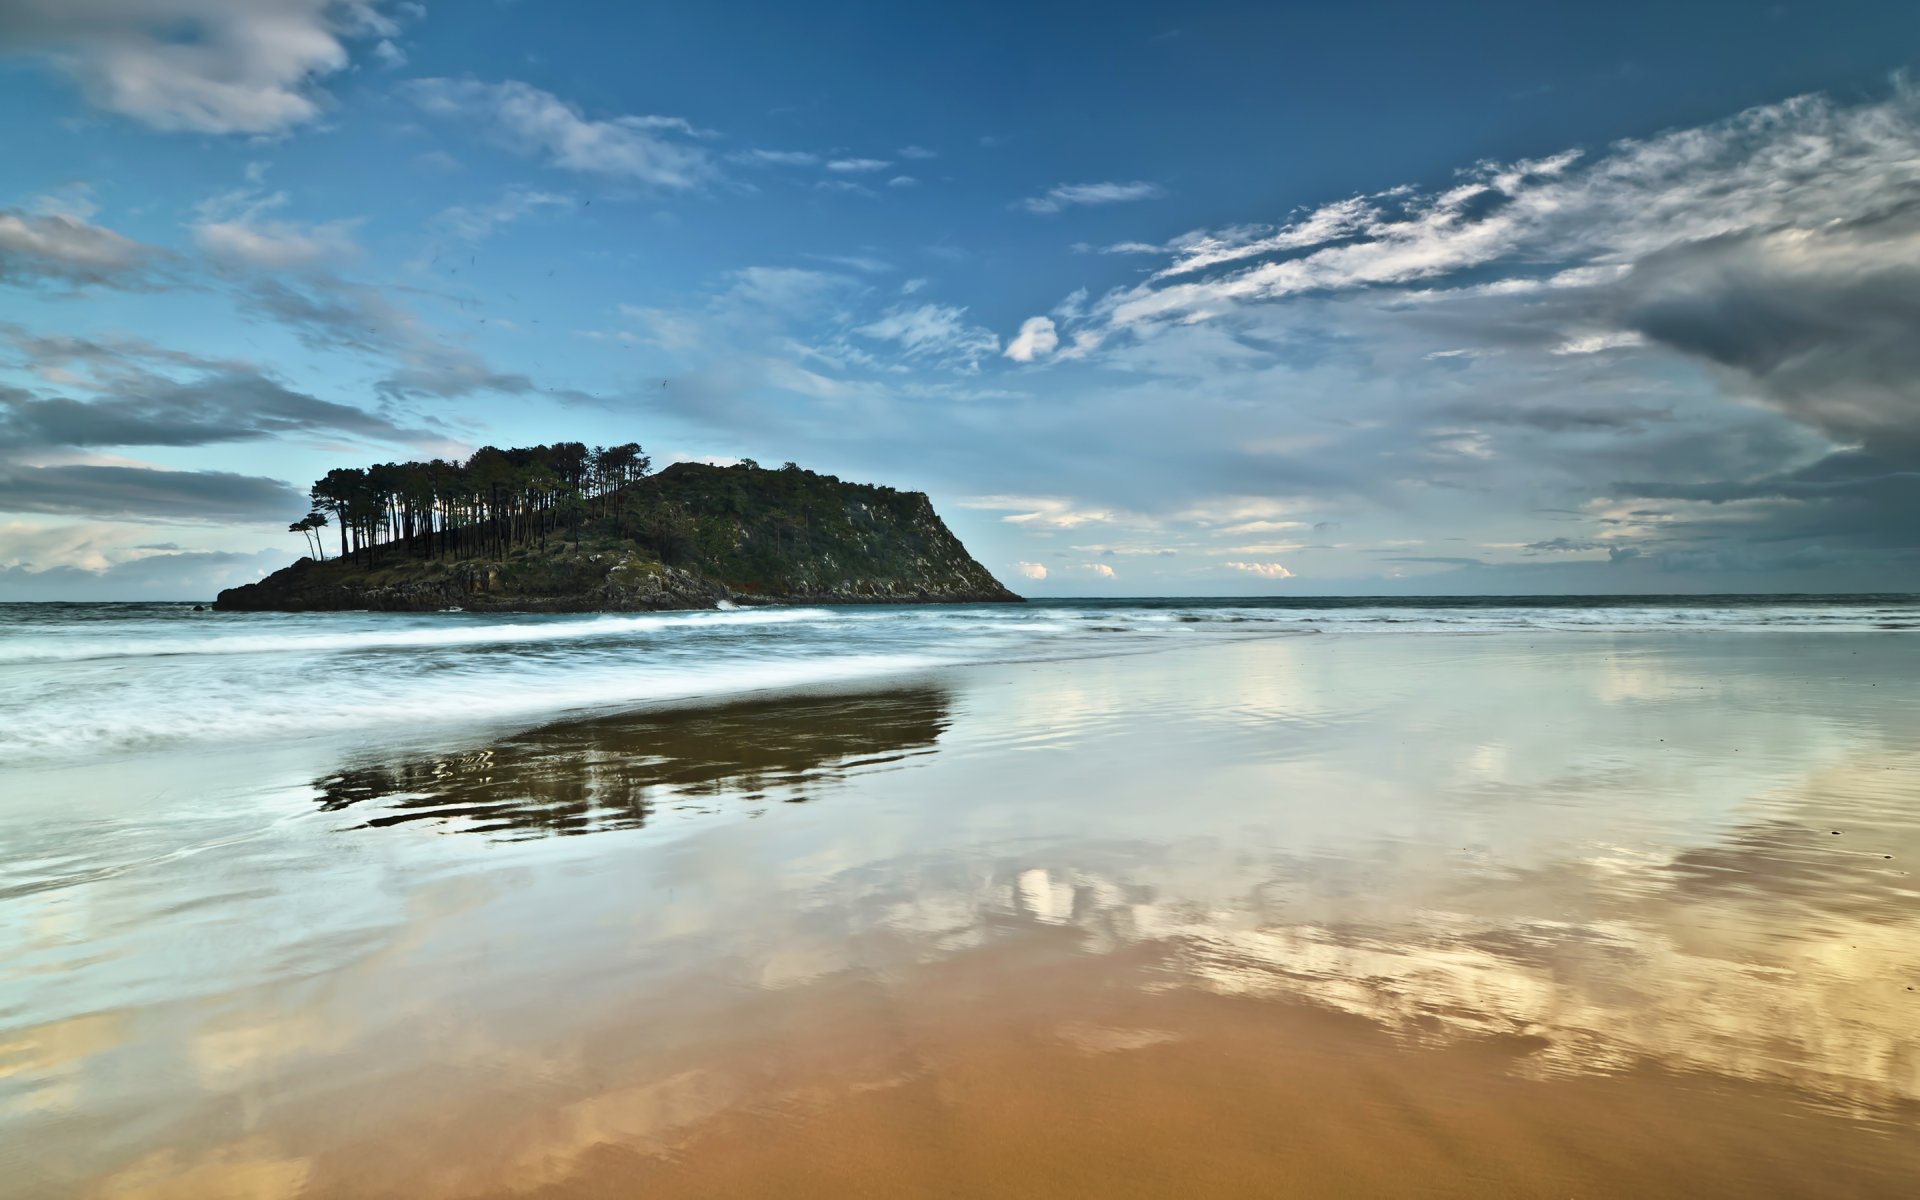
column 1149, row 299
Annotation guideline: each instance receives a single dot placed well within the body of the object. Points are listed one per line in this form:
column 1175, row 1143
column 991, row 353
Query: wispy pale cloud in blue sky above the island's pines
column 648, row 151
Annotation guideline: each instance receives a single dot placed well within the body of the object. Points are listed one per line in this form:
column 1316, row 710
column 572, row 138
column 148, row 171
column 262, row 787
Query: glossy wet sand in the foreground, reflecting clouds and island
column 1566, row 915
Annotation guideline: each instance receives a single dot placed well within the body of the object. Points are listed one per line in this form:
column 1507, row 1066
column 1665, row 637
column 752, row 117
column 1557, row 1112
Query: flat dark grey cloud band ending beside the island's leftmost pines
column 147, row 494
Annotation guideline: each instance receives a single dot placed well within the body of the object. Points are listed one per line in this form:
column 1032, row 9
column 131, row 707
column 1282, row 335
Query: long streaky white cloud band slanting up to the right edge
column 1804, row 162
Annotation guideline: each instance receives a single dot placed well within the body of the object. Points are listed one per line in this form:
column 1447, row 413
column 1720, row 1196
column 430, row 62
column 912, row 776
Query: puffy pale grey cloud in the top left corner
column 197, row 66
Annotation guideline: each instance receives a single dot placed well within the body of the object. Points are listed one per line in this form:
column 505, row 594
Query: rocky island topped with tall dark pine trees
column 567, row 529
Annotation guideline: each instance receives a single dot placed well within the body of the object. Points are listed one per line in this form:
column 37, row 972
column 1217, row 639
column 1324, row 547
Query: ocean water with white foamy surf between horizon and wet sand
column 80, row 683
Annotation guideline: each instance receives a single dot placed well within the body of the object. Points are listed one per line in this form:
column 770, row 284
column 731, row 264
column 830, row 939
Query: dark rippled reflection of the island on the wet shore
column 615, row 773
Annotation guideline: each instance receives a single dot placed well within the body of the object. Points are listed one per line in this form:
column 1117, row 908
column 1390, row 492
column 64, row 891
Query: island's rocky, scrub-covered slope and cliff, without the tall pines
column 686, row 539
